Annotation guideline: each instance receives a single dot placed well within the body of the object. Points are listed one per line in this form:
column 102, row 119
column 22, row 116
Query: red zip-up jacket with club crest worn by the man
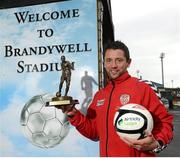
column 98, row 123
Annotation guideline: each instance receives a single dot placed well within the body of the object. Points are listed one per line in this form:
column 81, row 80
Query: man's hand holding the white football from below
column 149, row 143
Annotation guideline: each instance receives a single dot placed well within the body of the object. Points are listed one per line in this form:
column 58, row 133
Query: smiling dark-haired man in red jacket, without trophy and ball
column 98, row 123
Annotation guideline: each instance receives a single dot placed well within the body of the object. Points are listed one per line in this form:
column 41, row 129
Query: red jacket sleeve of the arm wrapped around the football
column 163, row 121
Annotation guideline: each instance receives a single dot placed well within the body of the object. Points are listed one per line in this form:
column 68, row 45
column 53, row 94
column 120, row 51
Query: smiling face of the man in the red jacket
column 115, row 63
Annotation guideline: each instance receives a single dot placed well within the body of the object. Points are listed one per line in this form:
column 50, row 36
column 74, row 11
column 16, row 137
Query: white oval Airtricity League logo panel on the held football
column 130, row 121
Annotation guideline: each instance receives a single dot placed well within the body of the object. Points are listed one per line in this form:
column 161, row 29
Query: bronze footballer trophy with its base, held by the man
column 60, row 100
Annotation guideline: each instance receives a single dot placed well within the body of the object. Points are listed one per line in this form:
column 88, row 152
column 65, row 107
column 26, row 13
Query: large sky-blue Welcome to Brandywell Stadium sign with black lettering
column 33, row 41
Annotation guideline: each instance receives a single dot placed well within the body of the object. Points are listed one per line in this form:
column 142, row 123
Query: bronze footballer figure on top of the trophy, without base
column 66, row 68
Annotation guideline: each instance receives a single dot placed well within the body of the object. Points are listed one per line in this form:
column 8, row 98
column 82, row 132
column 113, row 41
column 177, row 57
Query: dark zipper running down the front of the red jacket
column 107, row 118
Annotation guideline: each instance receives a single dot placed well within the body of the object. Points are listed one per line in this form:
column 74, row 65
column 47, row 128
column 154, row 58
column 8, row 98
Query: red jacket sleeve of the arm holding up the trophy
column 86, row 125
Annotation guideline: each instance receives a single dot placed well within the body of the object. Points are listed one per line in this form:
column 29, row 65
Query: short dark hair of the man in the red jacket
column 118, row 45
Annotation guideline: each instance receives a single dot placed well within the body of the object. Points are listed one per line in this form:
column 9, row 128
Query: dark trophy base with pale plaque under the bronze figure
column 62, row 101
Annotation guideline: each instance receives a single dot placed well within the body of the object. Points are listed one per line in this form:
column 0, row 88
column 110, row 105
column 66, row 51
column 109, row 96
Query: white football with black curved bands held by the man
column 131, row 120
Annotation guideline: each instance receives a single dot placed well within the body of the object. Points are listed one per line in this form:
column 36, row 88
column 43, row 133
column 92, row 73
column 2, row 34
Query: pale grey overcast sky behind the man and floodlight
column 149, row 28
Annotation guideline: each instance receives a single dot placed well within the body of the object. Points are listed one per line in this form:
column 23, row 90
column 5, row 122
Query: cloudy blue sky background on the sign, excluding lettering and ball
column 17, row 88
